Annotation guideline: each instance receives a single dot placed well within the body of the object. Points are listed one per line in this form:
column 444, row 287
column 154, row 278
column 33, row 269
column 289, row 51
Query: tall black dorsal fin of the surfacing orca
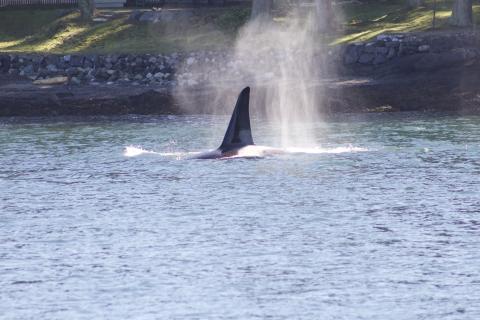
column 239, row 133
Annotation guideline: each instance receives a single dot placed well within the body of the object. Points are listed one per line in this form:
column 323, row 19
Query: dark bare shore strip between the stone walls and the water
column 447, row 90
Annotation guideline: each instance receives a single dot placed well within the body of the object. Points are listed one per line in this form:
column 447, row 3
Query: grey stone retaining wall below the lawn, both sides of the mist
column 183, row 68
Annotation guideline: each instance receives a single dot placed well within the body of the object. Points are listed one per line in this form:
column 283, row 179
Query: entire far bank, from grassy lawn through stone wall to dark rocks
column 385, row 58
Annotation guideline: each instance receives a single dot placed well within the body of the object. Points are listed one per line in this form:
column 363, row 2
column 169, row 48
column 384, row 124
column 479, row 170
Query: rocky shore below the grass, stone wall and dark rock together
column 396, row 72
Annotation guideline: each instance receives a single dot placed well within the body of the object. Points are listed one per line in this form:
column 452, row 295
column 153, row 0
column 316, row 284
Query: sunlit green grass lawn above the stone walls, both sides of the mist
column 60, row 30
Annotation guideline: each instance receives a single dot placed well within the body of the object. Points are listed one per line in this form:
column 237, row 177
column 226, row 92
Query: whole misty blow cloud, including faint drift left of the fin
column 282, row 61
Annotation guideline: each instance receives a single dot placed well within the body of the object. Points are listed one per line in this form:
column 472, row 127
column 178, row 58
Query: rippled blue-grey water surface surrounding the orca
column 381, row 221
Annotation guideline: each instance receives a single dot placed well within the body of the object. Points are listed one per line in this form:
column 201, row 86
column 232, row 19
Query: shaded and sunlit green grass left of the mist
column 60, row 31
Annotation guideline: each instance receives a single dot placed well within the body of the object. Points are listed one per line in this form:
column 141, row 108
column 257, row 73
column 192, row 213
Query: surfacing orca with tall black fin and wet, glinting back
column 238, row 141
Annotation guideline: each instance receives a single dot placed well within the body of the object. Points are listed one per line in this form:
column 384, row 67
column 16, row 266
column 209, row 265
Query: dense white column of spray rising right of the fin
column 285, row 67
